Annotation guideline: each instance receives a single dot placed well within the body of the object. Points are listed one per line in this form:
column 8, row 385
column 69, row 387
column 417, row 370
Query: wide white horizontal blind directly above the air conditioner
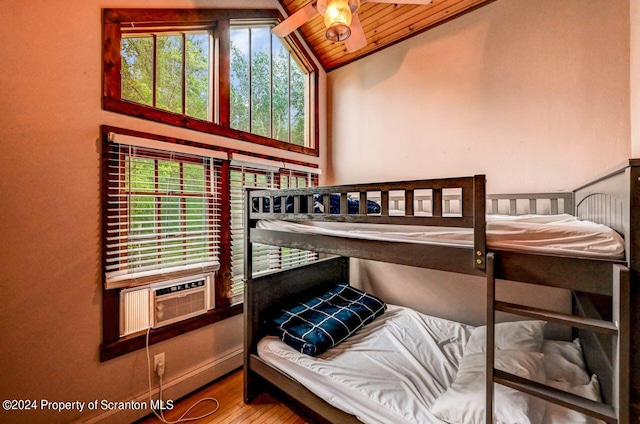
column 163, row 215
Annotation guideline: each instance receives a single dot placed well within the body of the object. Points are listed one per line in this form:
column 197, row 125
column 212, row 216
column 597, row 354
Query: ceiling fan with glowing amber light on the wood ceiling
column 340, row 18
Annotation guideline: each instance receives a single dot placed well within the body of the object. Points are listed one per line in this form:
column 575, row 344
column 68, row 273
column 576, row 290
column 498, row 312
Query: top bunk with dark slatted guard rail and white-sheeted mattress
column 447, row 224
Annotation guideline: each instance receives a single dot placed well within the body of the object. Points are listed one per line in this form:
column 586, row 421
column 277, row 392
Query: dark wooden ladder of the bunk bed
column 618, row 329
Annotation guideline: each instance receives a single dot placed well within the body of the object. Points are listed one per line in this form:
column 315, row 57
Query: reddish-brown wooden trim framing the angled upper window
column 115, row 19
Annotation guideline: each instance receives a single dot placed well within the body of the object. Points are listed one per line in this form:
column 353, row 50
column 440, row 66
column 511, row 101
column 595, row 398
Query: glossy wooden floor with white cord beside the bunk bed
column 228, row 392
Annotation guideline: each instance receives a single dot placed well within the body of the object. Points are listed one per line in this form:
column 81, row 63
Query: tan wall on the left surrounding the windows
column 50, row 263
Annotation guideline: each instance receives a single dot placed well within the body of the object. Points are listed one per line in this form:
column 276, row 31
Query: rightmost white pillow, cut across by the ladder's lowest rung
column 558, row 414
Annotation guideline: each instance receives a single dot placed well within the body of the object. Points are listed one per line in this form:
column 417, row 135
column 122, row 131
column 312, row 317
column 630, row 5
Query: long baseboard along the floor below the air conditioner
column 173, row 389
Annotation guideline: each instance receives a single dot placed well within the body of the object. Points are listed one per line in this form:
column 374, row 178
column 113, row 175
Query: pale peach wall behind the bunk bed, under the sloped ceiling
column 534, row 94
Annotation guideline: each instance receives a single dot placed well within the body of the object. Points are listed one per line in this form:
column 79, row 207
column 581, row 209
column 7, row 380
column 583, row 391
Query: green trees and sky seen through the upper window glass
column 173, row 72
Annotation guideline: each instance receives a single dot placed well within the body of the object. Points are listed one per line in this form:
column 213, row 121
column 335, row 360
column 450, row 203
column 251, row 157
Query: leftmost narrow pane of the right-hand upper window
column 240, row 79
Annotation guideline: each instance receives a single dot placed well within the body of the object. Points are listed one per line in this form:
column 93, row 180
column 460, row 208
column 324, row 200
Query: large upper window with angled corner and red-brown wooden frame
column 216, row 71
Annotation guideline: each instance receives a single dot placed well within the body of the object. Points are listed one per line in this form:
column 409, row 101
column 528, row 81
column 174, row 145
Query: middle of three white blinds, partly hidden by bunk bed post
column 242, row 176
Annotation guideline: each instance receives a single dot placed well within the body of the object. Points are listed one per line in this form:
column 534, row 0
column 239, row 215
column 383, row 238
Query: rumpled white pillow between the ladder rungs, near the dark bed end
column 564, row 362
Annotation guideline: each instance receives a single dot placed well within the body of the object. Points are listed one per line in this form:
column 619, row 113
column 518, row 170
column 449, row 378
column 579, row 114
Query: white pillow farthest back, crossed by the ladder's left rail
column 518, row 335
